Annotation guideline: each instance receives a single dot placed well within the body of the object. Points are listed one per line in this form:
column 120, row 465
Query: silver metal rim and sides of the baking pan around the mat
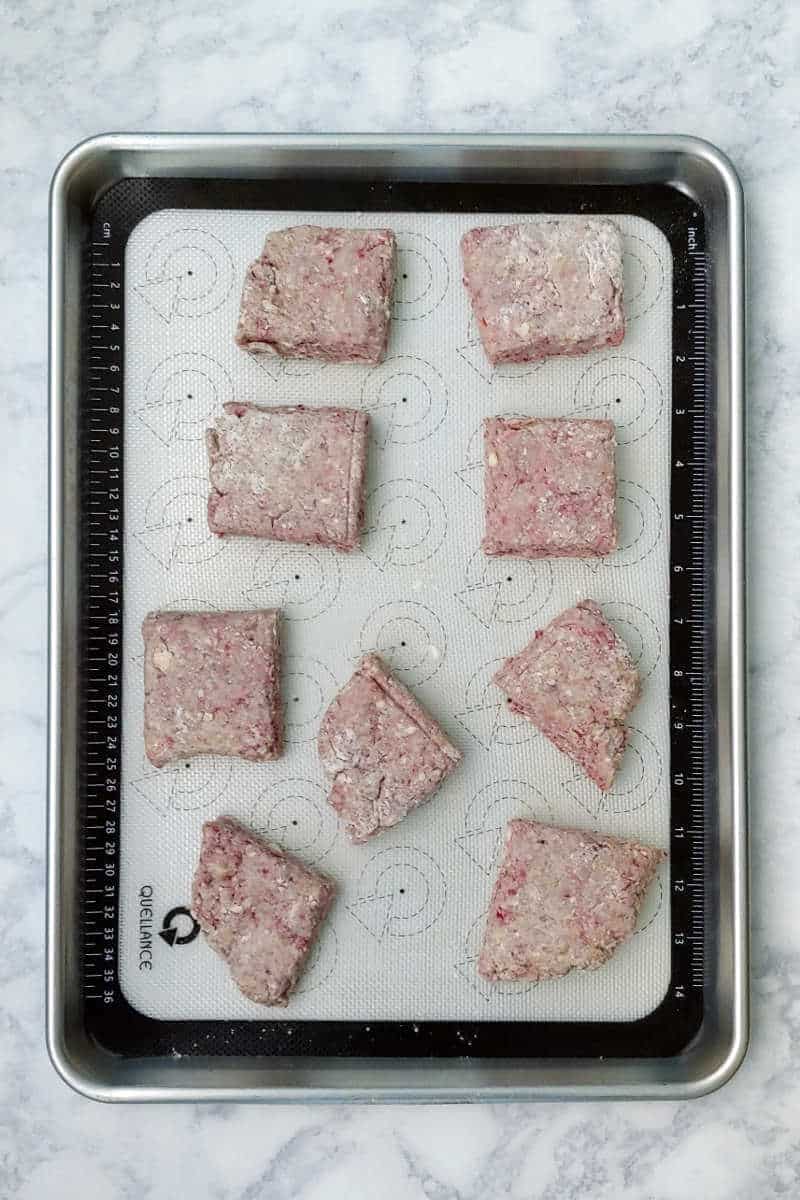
column 435, row 172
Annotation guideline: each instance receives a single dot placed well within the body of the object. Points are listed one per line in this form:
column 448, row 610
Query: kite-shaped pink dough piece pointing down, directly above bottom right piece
column 576, row 682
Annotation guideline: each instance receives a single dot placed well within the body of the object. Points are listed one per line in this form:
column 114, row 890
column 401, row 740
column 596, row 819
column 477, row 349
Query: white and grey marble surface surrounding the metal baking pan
column 724, row 70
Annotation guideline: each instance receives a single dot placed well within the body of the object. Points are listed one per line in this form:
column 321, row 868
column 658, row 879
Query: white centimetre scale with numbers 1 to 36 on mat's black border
column 101, row 550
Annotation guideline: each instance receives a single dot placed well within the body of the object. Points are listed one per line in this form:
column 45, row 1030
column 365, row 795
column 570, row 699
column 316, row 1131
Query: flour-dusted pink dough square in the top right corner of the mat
column 546, row 287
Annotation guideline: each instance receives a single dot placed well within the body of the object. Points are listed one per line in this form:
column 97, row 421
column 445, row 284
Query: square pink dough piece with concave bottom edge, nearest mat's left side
column 213, row 686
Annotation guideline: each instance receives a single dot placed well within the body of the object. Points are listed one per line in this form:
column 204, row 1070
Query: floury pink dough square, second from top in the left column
column 290, row 475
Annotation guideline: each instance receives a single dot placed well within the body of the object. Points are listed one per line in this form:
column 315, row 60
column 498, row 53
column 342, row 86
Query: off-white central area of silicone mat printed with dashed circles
column 402, row 940
